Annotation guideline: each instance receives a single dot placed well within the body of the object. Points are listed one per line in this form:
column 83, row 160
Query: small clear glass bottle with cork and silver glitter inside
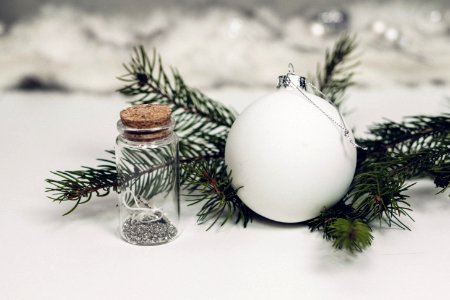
column 148, row 175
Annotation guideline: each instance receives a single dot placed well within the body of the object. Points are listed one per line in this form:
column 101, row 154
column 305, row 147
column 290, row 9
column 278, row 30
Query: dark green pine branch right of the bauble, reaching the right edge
column 397, row 152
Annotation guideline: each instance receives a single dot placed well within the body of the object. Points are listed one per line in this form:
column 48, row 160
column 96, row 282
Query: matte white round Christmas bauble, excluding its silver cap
column 287, row 158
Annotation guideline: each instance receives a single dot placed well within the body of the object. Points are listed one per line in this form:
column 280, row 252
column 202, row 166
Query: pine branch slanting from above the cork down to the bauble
column 202, row 123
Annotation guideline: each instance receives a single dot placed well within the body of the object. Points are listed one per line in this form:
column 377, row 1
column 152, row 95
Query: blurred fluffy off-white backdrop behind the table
column 80, row 45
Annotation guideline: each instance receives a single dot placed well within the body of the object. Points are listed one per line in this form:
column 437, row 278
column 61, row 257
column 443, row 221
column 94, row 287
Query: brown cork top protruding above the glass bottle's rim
column 146, row 116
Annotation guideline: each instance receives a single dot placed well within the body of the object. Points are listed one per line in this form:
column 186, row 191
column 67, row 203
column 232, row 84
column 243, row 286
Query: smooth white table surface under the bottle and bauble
column 81, row 256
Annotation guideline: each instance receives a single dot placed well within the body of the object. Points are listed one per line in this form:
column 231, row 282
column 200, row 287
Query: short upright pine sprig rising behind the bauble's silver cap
column 336, row 75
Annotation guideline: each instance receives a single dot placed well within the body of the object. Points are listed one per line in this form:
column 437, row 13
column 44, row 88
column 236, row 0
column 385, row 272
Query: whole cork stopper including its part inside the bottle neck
column 146, row 122
